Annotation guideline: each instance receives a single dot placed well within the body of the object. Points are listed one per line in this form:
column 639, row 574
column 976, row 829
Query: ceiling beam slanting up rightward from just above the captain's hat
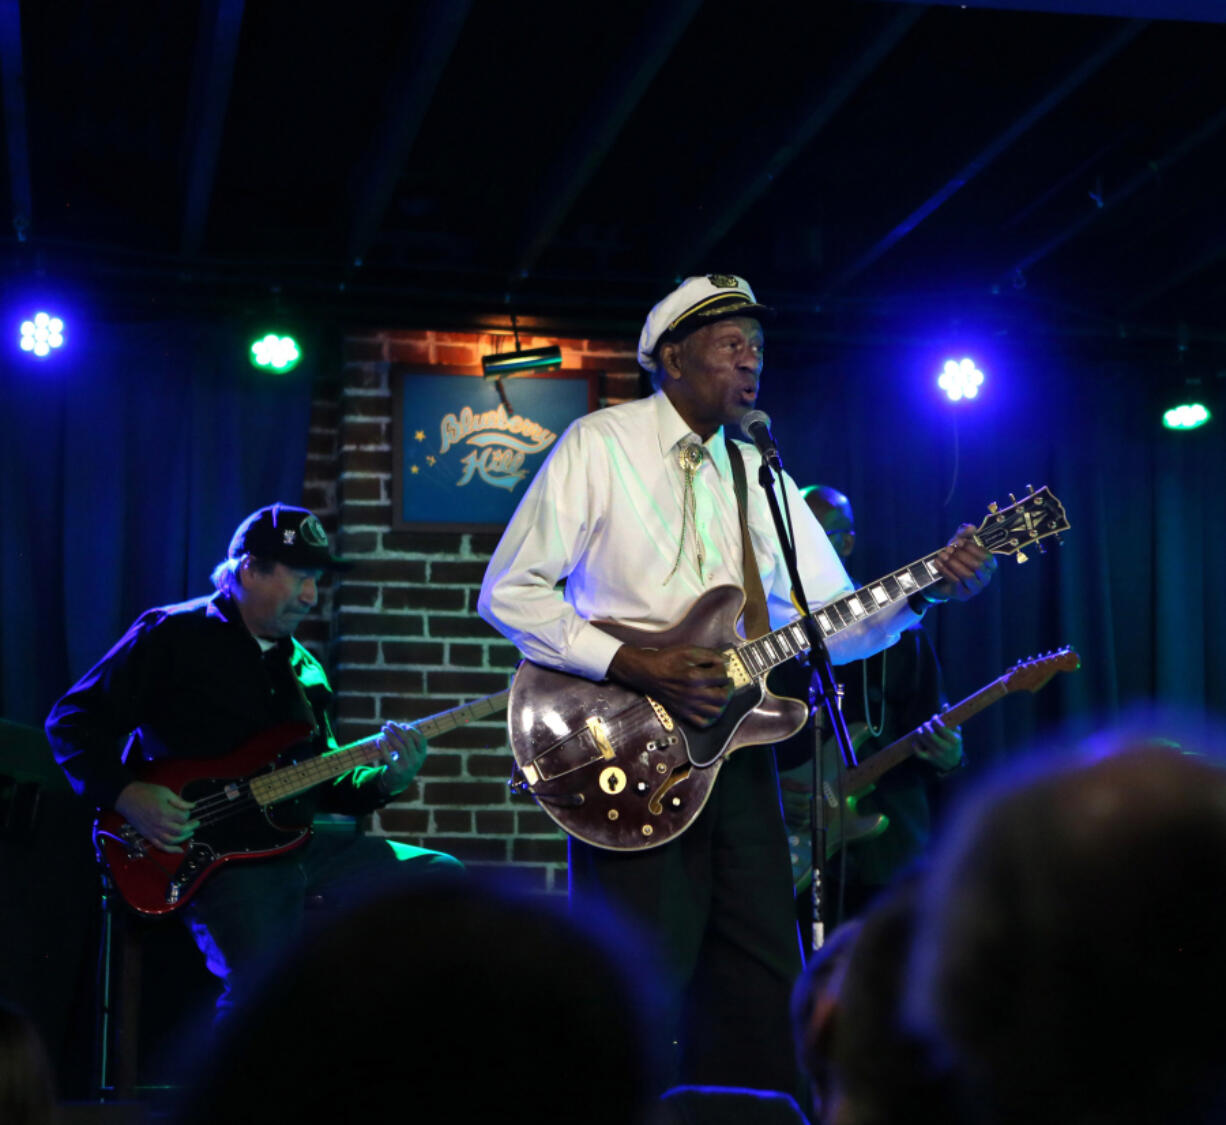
column 691, row 251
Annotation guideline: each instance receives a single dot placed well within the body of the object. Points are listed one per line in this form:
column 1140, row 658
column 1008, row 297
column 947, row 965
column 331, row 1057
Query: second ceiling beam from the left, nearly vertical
column 213, row 78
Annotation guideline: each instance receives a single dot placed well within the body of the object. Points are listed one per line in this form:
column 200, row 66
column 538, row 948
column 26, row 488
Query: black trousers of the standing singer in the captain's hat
column 717, row 903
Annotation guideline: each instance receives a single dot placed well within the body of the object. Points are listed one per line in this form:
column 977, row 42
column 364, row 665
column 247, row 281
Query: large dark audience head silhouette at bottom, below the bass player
column 451, row 1003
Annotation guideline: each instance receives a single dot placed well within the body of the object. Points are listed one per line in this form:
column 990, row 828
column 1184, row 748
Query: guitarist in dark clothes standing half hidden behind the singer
column 892, row 693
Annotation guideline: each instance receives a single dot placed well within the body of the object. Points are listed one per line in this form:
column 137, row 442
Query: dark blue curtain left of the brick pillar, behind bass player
column 126, row 466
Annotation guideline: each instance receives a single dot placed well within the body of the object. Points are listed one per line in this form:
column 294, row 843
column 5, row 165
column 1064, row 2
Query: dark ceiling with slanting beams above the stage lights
column 866, row 165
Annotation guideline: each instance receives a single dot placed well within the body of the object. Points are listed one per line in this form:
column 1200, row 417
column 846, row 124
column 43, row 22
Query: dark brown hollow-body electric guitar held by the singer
column 619, row 771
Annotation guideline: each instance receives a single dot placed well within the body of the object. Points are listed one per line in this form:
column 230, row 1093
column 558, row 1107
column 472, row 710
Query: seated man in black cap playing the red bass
column 199, row 681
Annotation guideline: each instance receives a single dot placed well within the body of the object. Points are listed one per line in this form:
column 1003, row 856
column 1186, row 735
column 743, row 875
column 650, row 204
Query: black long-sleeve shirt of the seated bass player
column 191, row 681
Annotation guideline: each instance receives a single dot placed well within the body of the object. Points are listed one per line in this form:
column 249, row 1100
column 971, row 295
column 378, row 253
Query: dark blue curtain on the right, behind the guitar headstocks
column 1132, row 589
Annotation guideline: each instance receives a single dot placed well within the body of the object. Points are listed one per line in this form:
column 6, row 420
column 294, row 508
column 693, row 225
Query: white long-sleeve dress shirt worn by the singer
column 605, row 515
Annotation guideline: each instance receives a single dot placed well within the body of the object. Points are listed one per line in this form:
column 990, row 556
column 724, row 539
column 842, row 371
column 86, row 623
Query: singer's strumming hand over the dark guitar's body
column 690, row 682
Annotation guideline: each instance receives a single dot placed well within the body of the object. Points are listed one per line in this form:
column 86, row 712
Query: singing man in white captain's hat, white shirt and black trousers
column 636, row 509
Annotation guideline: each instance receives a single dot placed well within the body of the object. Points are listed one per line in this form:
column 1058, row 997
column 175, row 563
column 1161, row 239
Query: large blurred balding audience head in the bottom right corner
column 1072, row 948
